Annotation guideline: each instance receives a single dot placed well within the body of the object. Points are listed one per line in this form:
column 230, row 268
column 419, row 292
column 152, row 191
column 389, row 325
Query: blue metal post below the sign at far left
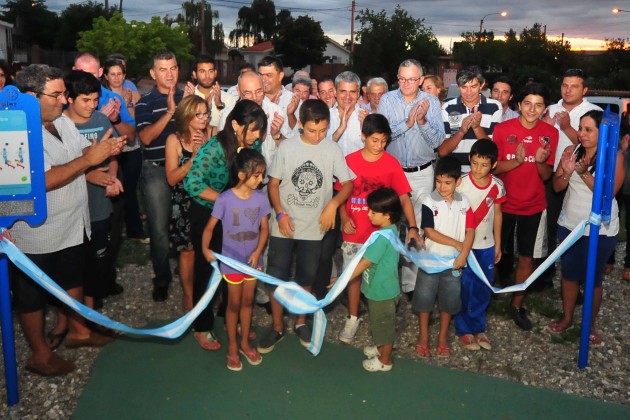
column 8, row 342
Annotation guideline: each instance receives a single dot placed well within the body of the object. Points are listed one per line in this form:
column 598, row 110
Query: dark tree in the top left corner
column 34, row 23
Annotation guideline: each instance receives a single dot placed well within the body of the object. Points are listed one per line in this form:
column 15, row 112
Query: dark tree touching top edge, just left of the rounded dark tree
column 257, row 23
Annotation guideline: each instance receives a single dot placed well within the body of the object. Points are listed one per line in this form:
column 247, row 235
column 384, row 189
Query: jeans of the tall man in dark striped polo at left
column 157, row 197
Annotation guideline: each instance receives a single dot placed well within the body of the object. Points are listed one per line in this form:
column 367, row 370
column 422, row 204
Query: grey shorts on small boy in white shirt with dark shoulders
column 444, row 287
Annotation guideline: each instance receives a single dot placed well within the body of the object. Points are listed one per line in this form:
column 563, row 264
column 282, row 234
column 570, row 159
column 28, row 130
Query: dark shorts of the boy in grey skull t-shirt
column 280, row 258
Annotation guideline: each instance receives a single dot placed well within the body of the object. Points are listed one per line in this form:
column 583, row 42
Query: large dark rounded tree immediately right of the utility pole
column 384, row 42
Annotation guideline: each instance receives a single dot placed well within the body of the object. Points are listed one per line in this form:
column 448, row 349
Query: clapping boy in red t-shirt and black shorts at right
column 527, row 147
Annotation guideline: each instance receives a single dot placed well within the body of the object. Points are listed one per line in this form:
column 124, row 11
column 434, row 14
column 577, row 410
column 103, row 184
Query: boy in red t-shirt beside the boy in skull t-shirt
column 374, row 169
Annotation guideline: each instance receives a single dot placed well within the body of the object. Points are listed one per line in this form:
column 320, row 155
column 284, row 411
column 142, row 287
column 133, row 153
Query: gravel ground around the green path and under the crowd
column 533, row 358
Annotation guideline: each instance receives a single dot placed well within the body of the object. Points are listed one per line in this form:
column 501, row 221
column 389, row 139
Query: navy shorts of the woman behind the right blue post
column 574, row 260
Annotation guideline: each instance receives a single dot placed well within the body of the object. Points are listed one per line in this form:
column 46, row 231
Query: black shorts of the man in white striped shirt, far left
column 65, row 267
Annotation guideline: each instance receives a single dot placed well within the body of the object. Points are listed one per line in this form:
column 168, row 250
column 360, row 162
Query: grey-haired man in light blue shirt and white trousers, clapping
column 415, row 118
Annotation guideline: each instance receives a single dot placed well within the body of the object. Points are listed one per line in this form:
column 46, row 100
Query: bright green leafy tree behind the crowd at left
column 138, row 41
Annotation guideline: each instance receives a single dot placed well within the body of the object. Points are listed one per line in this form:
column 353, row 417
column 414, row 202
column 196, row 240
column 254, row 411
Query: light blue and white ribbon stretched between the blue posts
column 292, row 296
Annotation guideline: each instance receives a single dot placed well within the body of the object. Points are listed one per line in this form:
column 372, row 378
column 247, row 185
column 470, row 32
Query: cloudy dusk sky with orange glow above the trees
column 584, row 23
